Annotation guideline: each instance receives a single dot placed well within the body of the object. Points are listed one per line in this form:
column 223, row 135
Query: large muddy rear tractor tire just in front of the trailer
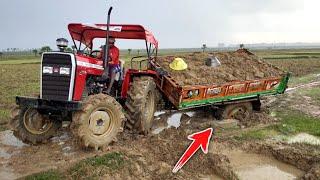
column 141, row 104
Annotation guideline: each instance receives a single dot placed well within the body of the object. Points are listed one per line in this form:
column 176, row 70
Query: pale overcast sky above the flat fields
column 175, row 23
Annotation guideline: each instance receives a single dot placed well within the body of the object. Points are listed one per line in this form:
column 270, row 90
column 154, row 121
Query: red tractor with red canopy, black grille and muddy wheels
column 72, row 88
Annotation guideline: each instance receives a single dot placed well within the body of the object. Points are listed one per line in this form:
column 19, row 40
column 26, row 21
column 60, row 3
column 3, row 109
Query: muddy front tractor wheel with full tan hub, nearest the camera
column 98, row 122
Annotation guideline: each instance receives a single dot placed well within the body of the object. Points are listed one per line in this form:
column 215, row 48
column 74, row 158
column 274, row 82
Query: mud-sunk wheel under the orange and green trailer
column 239, row 111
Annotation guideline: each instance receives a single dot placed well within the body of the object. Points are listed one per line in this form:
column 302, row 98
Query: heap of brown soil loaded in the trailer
column 234, row 67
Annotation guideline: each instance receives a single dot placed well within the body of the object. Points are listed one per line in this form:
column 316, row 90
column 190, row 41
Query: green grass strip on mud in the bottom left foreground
column 91, row 168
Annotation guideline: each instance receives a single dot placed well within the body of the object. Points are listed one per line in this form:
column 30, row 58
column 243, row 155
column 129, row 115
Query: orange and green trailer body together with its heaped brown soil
column 239, row 77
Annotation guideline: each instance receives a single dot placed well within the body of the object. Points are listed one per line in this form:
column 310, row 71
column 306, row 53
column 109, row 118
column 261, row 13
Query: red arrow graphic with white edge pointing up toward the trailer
column 200, row 139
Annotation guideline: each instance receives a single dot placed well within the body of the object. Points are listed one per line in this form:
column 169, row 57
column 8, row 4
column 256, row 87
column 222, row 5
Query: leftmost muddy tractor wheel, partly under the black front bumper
column 31, row 127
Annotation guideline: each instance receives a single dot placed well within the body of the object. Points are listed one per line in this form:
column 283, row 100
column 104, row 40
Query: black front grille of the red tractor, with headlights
column 55, row 85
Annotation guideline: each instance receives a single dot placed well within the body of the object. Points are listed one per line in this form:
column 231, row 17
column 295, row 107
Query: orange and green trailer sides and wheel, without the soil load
column 231, row 98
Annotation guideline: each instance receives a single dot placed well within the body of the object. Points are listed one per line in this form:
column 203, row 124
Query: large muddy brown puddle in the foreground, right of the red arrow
column 254, row 166
